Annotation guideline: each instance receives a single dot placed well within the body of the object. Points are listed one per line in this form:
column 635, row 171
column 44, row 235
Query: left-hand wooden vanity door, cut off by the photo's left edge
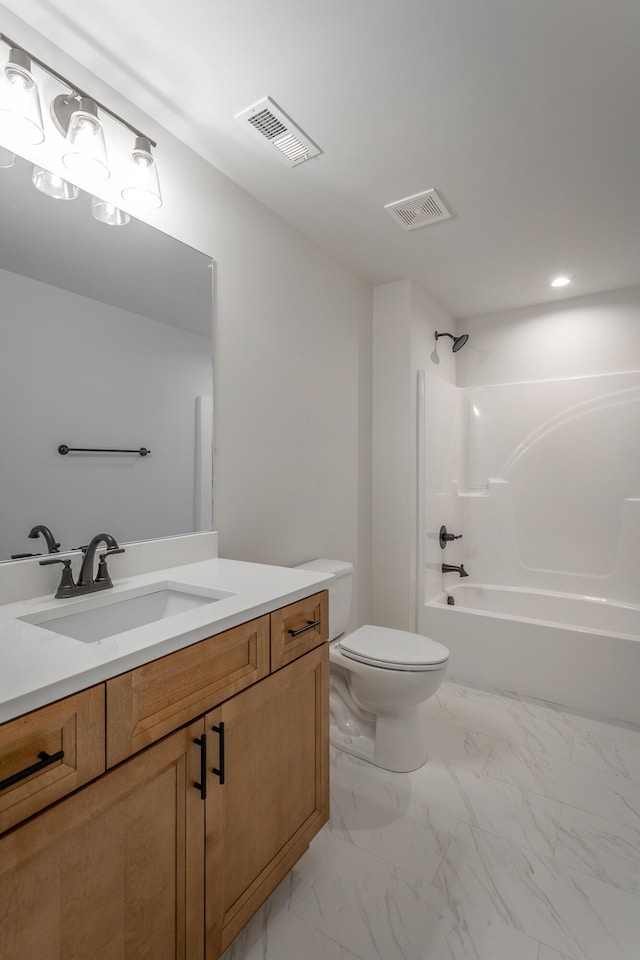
column 114, row 872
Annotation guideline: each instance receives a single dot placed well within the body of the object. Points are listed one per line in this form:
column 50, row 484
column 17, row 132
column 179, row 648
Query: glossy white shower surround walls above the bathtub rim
column 541, row 478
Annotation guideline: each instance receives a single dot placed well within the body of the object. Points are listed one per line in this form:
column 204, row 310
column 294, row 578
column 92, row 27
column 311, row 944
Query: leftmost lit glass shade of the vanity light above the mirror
column 20, row 114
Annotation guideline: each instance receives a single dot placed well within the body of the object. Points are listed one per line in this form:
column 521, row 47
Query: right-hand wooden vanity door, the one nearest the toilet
column 275, row 795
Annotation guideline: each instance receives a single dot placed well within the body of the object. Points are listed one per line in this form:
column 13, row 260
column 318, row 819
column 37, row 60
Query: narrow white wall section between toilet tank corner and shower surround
column 405, row 319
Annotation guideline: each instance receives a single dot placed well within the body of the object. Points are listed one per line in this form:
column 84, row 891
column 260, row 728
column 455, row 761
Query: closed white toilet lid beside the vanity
column 393, row 649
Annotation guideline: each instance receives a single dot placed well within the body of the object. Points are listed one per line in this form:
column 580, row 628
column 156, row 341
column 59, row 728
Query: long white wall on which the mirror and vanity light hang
column 292, row 348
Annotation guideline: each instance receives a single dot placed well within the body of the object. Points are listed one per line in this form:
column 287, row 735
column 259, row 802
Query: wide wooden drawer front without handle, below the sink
column 153, row 700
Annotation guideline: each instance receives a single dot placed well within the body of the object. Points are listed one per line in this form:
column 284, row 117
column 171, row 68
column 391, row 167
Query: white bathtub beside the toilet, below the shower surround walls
column 579, row 651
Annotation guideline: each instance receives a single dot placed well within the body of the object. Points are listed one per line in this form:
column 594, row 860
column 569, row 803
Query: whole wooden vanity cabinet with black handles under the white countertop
column 168, row 854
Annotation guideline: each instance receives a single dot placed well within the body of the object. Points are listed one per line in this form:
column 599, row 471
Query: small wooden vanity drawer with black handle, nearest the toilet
column 298, row 628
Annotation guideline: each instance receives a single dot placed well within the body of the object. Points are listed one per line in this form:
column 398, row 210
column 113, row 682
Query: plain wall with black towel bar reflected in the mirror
column 80, row 372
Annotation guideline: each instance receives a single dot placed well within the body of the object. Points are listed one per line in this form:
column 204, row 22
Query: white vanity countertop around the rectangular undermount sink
column 38, row 666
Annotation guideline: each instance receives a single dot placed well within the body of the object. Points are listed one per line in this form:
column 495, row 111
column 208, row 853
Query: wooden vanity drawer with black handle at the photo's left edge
column 49, row 752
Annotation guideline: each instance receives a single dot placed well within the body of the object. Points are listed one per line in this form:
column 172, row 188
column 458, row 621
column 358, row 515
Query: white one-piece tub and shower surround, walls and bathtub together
column 541, row 480
